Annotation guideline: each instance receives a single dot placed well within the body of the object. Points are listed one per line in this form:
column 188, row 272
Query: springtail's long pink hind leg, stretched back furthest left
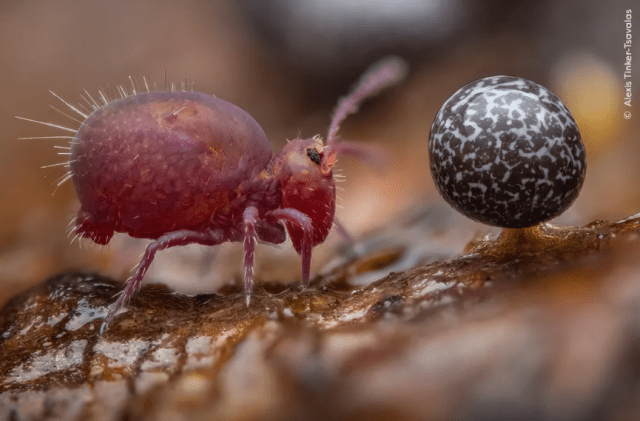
column 172, row 239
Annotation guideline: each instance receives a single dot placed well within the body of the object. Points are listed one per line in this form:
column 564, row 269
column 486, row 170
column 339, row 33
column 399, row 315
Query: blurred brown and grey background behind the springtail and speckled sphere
column 287, row 62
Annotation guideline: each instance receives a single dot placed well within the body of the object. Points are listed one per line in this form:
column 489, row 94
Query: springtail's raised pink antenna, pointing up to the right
column 384, row 73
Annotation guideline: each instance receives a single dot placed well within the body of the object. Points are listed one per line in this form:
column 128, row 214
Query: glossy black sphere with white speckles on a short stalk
column 506, row 151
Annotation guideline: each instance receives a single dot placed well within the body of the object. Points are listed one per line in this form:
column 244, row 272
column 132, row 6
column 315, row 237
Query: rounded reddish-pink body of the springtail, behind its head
column 165, row 161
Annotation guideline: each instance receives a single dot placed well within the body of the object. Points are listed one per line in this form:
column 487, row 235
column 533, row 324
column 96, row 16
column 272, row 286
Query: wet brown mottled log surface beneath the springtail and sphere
column 513, row 308
